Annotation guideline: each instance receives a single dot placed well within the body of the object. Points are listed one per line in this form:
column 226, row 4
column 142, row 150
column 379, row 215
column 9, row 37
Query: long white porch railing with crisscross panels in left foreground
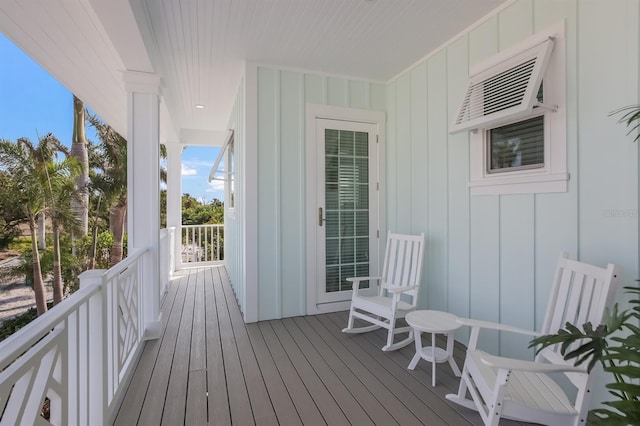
column 78, row 355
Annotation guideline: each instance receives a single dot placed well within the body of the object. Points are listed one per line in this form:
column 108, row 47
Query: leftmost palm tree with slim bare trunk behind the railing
column 25, row 186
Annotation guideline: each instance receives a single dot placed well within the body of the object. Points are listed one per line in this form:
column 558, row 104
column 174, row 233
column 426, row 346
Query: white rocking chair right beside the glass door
column 397, row 291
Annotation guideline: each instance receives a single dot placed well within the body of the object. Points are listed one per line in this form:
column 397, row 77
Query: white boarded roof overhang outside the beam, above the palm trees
column 87, row 65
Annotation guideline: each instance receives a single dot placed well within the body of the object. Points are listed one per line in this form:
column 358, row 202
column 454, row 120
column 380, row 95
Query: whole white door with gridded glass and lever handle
column 346, row 208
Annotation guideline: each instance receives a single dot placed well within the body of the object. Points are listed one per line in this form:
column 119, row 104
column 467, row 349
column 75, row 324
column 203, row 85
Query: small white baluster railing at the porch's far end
column 202, row 243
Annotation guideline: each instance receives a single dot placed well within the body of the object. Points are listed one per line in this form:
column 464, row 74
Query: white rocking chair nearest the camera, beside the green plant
column 523, row 390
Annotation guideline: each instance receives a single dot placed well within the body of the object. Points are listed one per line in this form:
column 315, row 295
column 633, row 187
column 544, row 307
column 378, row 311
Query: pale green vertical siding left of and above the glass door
column 282, row 96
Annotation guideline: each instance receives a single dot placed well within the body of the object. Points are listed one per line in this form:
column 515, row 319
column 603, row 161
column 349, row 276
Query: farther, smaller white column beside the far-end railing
column 174, row 197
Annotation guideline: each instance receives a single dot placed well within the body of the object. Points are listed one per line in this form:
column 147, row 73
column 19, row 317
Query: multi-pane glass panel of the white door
column 347, row 207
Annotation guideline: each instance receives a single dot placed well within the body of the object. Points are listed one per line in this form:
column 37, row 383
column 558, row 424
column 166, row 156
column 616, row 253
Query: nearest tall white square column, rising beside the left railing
column 143, row 181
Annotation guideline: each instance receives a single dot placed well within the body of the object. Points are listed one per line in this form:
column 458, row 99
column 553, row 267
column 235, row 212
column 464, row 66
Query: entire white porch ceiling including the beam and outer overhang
column 198, row 47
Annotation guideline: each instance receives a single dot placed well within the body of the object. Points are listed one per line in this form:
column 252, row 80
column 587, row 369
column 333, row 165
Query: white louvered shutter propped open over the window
column 505, row 90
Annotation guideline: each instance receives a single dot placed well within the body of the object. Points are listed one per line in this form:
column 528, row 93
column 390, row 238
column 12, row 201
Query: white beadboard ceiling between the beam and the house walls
column 199, row 46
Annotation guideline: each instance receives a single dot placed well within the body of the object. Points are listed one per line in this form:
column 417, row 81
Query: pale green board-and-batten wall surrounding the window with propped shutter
column 492, row 257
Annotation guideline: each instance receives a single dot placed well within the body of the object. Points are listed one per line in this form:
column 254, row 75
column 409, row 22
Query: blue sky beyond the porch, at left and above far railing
column 32, row 104
